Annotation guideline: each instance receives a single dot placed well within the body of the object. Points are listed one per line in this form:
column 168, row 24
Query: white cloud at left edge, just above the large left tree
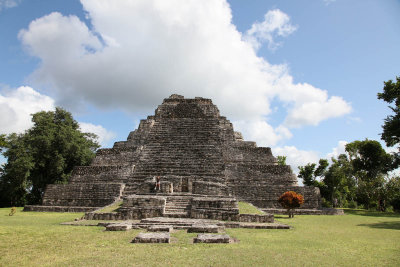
column 17, row 105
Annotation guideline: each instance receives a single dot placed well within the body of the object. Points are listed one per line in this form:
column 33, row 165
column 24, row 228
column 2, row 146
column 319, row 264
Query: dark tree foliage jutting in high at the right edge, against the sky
column 391, row 126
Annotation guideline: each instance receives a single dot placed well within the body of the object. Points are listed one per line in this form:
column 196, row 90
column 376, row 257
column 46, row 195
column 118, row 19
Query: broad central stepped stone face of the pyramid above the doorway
column 187, row 147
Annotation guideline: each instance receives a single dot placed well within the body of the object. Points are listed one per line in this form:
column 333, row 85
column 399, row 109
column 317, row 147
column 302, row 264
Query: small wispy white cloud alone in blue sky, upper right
column 275, row 24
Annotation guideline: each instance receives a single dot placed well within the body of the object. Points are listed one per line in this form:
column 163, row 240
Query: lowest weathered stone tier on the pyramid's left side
column 82, row 194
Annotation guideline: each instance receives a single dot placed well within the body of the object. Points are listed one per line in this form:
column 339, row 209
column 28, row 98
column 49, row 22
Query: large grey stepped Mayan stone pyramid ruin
column 205, row 167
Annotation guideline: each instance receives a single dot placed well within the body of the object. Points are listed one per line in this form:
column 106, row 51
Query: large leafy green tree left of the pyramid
column 44, row 154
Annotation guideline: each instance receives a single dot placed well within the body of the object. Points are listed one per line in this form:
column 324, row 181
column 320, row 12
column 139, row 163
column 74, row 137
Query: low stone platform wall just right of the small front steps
column 215, row 208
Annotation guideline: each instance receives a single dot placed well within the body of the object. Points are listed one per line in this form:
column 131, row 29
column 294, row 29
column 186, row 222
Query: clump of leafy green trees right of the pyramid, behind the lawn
column 359, row 175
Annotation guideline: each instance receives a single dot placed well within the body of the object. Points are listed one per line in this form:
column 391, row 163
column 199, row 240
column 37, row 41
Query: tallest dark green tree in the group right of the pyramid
column 370, row 163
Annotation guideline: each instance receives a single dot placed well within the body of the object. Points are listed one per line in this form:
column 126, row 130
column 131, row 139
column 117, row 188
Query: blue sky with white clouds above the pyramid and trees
column 300, row 77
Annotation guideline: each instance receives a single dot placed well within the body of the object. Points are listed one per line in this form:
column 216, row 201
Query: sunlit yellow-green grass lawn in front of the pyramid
column 357, row 239
